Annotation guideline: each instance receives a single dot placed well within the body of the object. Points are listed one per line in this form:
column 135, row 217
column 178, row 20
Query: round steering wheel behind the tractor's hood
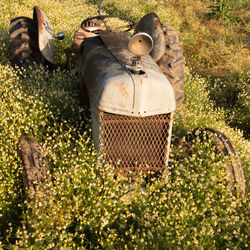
column 103, row 18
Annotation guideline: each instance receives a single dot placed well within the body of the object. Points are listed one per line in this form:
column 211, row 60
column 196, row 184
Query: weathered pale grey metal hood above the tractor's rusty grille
column 115, row 86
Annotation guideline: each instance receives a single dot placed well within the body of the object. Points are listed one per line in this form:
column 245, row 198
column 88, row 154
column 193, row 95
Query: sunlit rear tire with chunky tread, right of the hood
column 172, row 62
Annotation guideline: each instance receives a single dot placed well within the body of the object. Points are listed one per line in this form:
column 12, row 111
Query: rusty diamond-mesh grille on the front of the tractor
column 135, row 144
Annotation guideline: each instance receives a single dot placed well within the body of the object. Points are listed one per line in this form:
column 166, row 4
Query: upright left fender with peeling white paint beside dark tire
column 44, row 34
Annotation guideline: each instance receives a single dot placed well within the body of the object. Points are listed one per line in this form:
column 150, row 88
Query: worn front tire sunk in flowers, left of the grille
column 34, row 163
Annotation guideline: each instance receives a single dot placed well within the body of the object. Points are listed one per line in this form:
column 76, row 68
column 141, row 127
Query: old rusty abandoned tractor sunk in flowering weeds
column 132, row 79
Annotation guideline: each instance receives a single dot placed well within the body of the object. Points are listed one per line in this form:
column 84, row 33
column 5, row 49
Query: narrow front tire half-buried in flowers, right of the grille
column 225, row 149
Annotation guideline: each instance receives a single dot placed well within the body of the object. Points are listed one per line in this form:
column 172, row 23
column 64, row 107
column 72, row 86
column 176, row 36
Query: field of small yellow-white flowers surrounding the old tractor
column 84, row 206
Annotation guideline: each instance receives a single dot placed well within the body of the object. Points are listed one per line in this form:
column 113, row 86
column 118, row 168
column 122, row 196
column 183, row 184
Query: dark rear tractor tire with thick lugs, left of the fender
column 23, row 43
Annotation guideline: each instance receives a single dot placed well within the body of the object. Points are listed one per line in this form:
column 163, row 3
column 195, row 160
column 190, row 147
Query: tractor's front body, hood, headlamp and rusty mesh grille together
column 131, row 101
